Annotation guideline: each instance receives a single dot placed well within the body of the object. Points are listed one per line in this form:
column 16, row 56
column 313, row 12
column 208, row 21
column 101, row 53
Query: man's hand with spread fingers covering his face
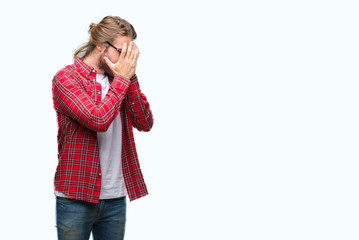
column 126, row 64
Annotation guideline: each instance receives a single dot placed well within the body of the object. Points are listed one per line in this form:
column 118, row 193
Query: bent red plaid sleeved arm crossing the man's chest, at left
column 72, row 100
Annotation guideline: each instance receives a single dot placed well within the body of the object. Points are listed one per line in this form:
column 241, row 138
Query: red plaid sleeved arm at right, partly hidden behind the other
column 140, row 112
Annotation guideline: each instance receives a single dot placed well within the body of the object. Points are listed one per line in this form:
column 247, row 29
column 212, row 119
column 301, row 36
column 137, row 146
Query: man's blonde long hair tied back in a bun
column 108, row 29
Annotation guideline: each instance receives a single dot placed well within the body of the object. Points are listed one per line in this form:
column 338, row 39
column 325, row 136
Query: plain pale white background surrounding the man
column 255, row 108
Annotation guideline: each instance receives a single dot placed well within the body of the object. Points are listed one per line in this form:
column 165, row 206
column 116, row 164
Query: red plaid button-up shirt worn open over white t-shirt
column 80, row 114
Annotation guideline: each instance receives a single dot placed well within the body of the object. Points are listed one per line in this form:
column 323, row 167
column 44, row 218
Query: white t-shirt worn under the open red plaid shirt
column 110, row 147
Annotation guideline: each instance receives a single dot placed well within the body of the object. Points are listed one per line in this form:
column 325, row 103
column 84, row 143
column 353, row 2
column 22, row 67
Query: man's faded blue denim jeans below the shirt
column 76, row 219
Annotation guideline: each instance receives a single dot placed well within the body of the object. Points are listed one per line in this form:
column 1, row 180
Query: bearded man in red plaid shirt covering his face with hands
column 98, row 101
